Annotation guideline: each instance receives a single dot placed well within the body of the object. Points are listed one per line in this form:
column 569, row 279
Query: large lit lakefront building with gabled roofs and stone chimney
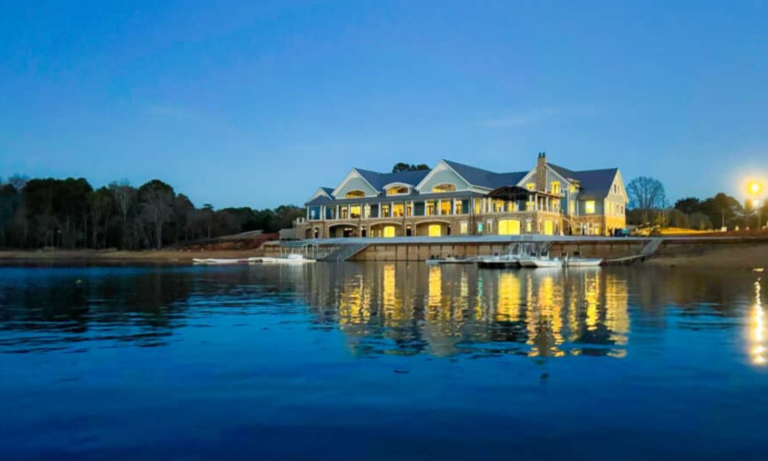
column 456, row 199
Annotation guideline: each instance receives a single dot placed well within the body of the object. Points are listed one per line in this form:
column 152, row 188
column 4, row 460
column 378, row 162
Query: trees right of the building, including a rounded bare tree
column 648, row 206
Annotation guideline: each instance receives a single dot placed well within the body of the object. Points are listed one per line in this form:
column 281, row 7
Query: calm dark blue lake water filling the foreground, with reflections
column 381, row 361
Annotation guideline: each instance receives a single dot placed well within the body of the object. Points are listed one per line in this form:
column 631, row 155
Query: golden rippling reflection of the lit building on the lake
column 413, row 308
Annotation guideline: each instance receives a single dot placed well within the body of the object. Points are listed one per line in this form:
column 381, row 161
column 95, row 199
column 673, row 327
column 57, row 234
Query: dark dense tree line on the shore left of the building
column 71, row 214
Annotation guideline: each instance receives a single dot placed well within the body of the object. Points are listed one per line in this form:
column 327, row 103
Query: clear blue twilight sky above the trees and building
column 260, row 102
